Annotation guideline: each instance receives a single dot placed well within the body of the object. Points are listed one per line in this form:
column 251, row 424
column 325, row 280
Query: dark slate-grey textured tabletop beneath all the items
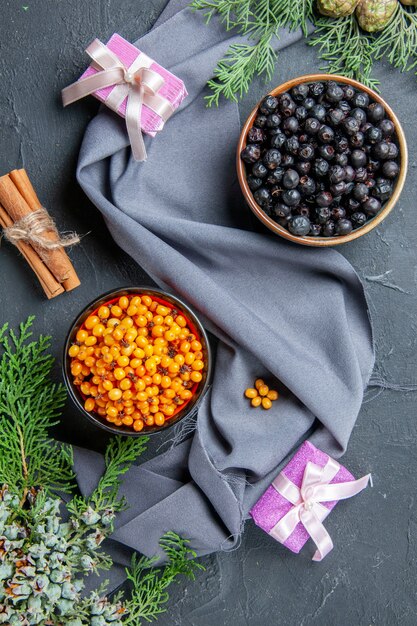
column 370, row 577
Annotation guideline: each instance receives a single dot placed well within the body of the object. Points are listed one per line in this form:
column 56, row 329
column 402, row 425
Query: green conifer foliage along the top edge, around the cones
column 342, row 44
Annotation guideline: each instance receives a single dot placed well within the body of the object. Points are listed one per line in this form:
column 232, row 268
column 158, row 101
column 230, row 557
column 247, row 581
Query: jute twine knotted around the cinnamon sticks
column 31, row 229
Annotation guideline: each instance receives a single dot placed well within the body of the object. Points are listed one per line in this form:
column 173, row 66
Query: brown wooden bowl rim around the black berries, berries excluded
column 324, row 241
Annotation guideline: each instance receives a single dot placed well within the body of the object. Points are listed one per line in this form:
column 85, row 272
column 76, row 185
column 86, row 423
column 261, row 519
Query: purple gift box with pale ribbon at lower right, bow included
column 297, row 502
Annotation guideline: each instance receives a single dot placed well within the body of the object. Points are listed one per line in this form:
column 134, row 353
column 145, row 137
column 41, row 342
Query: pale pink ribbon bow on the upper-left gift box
column 137, row 83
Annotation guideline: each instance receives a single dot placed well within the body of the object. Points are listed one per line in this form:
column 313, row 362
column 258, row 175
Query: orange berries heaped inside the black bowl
column 136, row 362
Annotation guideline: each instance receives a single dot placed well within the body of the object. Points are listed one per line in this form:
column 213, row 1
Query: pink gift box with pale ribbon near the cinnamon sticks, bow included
column 133, row 85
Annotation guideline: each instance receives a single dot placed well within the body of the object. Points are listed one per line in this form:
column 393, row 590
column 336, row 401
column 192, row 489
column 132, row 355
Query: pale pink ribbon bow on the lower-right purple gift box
column 306, row 501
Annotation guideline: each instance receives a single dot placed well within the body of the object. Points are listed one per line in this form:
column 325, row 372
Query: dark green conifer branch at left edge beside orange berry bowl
column 29, row 405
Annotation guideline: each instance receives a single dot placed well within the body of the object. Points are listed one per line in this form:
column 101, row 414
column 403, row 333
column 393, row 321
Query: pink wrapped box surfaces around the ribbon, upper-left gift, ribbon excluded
column 172, row 90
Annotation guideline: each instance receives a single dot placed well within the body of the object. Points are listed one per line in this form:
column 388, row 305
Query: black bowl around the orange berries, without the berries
column 96, row 419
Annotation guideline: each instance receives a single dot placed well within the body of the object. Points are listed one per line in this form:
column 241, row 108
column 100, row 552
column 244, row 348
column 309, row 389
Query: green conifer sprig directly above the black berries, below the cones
column 345, row 48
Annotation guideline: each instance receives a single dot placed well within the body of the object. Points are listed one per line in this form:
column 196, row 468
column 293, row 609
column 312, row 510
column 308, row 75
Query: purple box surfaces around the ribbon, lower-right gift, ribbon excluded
column 272, row 506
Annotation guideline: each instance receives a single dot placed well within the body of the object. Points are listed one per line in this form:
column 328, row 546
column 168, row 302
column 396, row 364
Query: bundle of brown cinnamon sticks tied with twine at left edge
column 41, row 246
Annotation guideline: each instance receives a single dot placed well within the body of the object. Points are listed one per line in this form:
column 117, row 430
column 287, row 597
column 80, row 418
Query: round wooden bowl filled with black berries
column 322, row 160
